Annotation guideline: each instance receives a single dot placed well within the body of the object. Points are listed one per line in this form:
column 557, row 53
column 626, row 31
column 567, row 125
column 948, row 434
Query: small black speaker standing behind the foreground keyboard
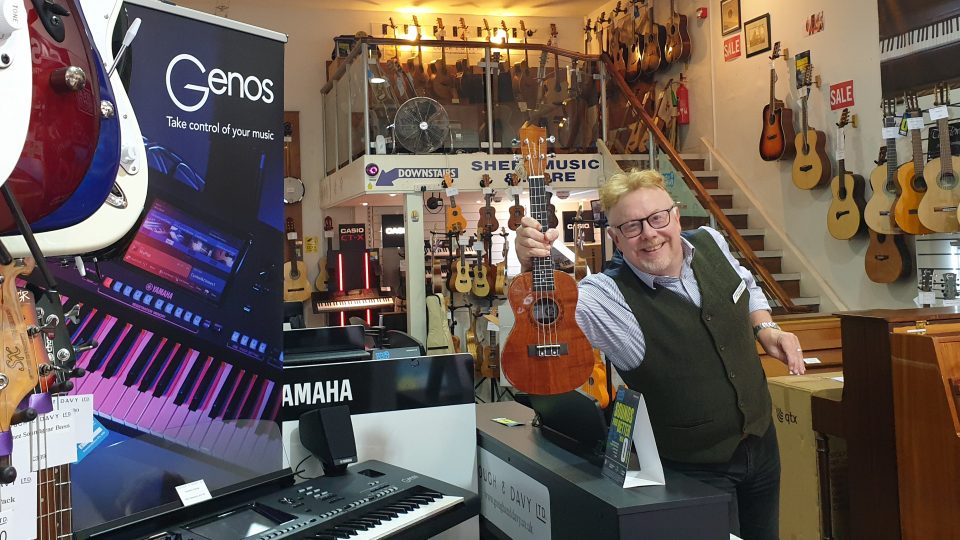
column 328, row 434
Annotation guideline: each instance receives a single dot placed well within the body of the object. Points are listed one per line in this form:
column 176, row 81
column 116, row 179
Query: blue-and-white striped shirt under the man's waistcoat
column 610, row 325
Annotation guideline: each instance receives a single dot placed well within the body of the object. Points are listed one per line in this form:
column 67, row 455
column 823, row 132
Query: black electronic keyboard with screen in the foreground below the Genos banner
column 371, row 500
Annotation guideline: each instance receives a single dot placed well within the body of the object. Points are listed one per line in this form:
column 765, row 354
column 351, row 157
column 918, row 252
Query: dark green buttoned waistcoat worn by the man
column 701, row 376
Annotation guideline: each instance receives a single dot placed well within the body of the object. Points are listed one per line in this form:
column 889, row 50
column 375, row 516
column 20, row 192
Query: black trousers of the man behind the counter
column 752, row 478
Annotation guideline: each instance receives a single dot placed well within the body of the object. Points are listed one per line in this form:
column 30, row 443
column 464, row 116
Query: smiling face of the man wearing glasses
column 655, row 251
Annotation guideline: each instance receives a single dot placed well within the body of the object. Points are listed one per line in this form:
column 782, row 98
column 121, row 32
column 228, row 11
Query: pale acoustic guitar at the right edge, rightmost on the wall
column 938, row 207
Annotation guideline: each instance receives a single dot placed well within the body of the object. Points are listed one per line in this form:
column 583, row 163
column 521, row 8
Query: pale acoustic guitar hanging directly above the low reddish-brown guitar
column 879, row 211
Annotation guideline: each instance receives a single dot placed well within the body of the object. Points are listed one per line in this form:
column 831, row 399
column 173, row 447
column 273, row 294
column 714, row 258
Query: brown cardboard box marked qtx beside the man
column 800, row 502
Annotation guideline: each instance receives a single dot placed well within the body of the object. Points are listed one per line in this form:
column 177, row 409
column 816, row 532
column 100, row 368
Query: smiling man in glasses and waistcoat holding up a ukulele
column 678, row 316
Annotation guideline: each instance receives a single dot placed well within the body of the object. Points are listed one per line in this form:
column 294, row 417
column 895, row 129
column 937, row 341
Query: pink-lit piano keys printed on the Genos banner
column 150, row 377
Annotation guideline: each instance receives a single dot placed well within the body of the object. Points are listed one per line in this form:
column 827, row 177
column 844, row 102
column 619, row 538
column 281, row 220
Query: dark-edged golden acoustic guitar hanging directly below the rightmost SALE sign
column 845, row 217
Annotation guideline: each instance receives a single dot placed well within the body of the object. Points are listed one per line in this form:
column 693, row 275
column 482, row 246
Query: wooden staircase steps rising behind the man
column 740, row 217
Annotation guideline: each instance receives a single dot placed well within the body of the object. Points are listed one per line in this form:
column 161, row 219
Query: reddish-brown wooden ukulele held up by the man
column 546, row 352
